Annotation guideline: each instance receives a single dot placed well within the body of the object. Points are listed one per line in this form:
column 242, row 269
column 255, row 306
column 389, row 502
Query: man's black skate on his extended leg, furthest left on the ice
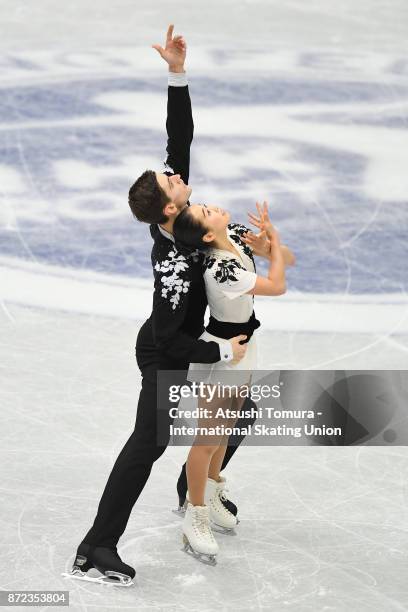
column 100, row 564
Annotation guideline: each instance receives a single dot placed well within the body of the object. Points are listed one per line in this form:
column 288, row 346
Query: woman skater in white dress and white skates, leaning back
column 231, row 282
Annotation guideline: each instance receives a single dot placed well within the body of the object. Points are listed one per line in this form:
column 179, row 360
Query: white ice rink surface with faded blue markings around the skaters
column 303, row 104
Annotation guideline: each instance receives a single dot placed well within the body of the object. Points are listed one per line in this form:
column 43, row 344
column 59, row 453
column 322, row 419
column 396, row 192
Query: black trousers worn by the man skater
column 134, row 464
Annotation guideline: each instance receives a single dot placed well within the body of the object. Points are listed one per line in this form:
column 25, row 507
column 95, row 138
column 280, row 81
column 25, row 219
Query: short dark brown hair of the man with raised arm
column 147, row 199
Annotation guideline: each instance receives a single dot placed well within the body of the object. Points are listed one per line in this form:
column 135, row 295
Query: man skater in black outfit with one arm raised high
column 167, row 340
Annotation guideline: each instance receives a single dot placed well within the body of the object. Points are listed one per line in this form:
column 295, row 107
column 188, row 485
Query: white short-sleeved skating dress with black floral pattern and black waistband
column 227, row 279
